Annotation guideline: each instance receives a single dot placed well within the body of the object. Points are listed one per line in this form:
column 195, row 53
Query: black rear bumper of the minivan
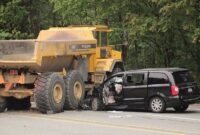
column 176, row 101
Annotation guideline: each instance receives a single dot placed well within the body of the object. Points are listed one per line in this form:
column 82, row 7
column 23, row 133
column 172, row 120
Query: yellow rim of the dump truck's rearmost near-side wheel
column 58, row 93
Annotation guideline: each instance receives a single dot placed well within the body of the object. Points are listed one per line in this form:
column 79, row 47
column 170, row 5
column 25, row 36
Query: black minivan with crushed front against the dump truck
column 155, row 89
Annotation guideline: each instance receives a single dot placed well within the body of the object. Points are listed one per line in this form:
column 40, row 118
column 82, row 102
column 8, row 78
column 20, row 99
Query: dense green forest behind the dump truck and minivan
column 157, row 33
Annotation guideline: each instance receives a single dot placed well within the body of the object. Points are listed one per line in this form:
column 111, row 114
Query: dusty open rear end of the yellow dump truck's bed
column 17, row 53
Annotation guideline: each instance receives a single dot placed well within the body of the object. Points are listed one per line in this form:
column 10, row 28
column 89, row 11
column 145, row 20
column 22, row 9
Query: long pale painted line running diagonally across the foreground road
column 106, row 124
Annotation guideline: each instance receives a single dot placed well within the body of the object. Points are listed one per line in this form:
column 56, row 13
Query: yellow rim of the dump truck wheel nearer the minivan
column 78, row 90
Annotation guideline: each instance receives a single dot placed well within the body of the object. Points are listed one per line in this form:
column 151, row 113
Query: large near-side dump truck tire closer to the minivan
column 75, row 90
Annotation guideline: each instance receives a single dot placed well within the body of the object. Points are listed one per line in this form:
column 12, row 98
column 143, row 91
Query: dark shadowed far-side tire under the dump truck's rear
column 18, row 104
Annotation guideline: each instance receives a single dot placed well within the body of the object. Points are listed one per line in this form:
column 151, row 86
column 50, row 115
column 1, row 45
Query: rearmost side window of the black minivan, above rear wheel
column 158, row 78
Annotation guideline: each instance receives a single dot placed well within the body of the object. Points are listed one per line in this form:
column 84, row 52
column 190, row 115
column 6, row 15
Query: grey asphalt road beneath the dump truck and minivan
column 101, row 123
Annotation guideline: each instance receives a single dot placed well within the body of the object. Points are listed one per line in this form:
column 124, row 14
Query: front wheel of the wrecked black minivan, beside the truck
column 96, row 104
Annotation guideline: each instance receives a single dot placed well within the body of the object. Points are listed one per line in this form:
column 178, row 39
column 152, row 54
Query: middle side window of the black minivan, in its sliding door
column 135, row 79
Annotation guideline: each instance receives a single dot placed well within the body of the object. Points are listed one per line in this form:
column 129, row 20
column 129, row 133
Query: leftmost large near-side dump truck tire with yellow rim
column 50, row 93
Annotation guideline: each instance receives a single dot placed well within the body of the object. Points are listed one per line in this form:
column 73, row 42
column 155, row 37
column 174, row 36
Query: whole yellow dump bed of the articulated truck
column 52, row 51
